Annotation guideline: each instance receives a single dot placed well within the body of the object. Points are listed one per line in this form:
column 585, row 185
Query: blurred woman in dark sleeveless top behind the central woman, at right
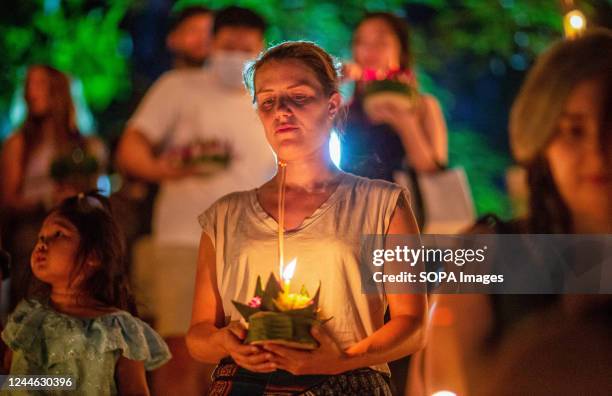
column 375, row 145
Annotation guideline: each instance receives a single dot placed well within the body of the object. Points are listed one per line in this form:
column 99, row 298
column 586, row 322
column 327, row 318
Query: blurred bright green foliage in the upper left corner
column 73, row 36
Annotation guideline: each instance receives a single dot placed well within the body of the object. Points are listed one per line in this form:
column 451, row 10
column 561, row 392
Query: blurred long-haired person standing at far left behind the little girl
column 42, row 162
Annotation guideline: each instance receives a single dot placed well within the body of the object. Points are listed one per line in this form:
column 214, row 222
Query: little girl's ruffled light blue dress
column 47, row 342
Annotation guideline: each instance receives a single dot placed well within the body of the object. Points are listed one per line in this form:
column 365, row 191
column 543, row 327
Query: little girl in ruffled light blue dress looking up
column 77, row 319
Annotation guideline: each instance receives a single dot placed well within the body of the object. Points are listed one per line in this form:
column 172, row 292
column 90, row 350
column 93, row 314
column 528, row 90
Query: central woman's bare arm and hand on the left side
column 207, row 340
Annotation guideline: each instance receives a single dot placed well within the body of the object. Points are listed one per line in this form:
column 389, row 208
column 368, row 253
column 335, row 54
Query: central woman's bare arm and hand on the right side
column 403, row 335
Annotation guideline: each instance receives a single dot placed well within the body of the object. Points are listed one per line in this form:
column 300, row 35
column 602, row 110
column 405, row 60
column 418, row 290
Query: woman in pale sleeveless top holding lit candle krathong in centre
column 326, row 212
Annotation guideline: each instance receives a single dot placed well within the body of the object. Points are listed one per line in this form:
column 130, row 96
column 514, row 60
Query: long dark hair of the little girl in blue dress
column 100, row 237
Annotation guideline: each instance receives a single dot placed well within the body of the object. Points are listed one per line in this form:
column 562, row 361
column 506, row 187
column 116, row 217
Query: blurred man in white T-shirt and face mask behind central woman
column 184, row 107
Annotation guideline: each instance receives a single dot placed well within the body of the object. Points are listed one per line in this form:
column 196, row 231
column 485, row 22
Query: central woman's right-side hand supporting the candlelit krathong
column 328, row 358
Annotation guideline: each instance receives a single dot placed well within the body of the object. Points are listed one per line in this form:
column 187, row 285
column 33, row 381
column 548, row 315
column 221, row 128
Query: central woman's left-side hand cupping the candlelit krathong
column 250, row 357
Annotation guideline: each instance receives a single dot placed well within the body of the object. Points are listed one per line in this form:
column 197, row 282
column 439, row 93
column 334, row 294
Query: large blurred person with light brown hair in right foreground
column 561, row 132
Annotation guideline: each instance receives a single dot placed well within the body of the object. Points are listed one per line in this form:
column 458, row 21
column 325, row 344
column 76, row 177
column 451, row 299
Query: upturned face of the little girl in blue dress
column 55, row 252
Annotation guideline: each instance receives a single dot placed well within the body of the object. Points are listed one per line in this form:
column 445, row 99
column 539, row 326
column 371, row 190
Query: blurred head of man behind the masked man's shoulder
column 190, row 37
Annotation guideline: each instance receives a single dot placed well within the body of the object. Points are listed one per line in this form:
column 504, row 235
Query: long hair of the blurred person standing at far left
column 61, row 113
